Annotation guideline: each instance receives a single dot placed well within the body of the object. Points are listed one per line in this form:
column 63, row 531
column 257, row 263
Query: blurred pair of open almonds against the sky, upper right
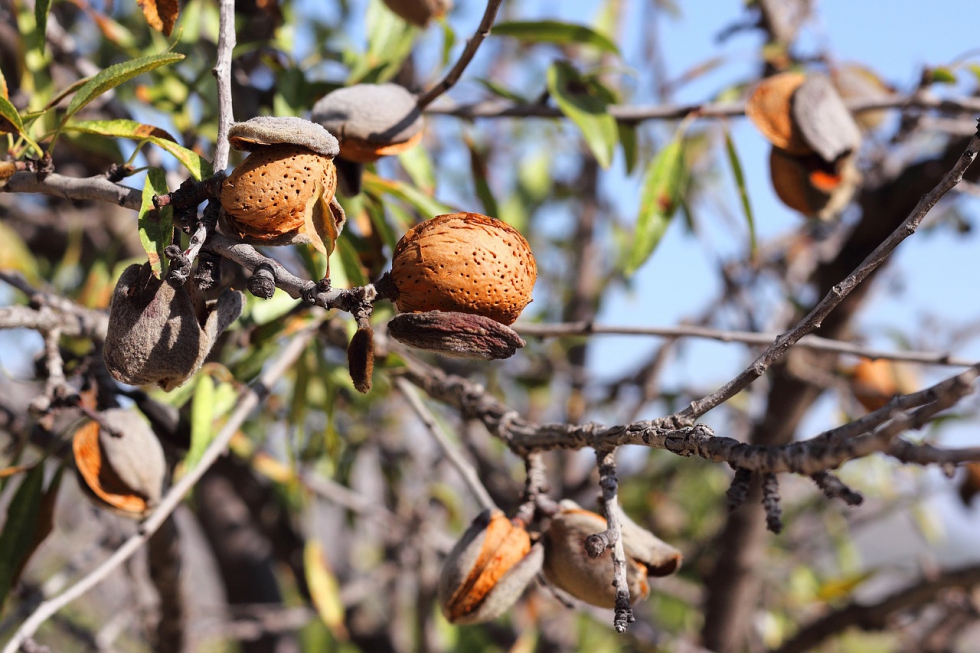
column 814, row 142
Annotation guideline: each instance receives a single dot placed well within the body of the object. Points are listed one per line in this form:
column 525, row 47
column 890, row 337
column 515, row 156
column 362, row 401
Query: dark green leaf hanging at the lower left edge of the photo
column 19, row 537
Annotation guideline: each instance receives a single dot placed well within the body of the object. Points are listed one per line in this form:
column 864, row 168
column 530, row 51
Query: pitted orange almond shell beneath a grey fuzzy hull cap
column 275, row 190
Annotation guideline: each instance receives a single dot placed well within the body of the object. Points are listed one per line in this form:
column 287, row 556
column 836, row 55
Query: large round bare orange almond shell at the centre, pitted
column 464, row 262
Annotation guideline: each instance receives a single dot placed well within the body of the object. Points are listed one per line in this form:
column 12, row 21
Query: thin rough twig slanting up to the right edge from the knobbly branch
column 837, row 294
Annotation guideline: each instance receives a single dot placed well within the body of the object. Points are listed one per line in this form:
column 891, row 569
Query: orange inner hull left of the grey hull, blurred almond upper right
column 770, row 108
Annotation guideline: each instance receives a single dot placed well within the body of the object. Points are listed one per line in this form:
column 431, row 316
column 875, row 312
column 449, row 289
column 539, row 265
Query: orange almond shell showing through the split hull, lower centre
column 504, row 545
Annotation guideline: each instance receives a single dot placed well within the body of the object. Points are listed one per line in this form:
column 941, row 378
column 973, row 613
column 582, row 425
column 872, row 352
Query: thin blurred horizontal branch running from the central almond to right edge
column 747, row 337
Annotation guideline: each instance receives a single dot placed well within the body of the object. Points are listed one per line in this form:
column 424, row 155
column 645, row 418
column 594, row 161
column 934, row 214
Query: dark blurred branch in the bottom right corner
column 876, row 617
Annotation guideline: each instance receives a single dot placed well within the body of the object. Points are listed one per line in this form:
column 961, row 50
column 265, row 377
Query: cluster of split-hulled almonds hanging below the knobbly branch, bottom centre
column 495, row 559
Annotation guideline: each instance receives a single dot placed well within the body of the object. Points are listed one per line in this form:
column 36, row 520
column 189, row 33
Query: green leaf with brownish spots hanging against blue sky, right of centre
column 658, row 201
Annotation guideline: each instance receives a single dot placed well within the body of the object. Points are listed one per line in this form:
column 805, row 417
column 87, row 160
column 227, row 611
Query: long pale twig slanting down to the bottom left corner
column 247, row 402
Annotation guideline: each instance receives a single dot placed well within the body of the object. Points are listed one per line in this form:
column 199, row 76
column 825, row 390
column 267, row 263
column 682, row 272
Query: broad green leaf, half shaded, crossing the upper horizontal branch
column 583, row 102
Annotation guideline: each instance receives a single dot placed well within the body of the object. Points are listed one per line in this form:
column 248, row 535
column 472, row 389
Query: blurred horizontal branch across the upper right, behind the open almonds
column 638, row 113
